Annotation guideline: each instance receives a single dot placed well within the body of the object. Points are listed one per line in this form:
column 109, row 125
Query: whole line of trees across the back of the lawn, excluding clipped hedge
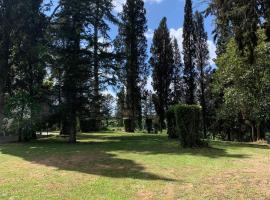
column 57, row 62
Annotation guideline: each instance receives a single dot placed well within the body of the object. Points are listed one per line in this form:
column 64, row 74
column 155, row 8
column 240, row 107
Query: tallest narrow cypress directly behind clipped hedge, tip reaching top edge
column 189, row 54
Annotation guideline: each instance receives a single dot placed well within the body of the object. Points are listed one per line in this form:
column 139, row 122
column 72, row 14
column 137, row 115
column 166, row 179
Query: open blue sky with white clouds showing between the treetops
column 174, row 11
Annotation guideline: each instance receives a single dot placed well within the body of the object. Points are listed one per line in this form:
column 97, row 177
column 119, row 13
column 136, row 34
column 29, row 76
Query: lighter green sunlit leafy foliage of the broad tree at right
column 245, row 86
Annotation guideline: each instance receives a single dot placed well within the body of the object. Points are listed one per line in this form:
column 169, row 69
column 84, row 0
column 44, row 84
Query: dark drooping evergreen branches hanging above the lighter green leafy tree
column 244, row 18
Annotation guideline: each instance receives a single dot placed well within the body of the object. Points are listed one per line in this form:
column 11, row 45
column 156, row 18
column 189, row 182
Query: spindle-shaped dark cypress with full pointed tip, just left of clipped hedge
column 162, row 63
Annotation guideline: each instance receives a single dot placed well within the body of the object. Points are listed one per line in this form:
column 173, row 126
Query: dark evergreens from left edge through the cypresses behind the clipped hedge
column 57, row 60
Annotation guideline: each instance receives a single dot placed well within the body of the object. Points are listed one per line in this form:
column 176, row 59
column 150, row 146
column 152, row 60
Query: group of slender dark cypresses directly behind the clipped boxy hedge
column 176, row 82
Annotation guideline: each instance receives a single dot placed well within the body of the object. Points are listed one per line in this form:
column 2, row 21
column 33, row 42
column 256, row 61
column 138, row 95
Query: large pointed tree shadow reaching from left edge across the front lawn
column 80, row 158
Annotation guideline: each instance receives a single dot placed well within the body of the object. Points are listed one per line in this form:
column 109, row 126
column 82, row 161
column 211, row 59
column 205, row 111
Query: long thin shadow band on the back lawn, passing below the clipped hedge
column 153, row 144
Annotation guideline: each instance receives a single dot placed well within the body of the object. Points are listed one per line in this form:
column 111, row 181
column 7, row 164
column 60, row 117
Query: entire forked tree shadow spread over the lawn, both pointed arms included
column 99, row 158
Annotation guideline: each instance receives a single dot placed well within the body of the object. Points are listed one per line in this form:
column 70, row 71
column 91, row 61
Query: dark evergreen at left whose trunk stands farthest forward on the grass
column 70, row 23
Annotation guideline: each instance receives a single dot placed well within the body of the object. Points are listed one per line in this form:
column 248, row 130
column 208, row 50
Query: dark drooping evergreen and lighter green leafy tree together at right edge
column 241, row 82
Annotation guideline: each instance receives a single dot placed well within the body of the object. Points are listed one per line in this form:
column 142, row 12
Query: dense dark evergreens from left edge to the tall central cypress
column 59, row 59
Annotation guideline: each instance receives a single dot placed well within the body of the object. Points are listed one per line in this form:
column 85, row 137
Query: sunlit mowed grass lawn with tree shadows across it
column 132, row 166
